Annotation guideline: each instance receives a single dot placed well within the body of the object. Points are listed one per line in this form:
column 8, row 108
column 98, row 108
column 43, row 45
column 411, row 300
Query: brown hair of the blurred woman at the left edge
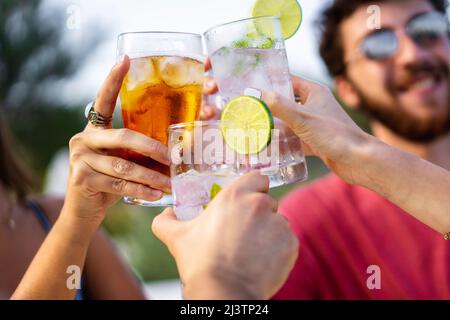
column 15, row 177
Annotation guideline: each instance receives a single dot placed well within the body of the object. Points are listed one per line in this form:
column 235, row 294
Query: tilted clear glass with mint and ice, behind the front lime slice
column 250, row 54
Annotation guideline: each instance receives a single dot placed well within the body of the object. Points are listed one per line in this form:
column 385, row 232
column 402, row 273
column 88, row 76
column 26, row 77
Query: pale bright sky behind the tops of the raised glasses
column 116, row 16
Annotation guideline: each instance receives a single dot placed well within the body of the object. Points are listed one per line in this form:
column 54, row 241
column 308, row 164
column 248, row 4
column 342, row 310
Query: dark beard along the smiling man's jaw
column 404, row 124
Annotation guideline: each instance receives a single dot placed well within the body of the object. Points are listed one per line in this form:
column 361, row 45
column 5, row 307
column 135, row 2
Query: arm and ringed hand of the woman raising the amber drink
column 97, row 179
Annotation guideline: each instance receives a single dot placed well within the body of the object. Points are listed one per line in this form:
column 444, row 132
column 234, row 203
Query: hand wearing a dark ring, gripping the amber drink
column 98, row 177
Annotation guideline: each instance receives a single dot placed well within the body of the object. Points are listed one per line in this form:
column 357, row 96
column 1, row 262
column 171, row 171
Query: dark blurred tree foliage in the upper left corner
column 32, row 55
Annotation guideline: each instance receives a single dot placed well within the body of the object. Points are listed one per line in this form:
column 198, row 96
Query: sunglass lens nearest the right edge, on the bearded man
column 428, row 27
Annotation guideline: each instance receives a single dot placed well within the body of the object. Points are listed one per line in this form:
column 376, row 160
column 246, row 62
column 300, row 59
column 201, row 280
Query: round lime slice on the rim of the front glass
column 246, row 124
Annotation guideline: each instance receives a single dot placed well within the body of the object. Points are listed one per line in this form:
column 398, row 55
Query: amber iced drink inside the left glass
column 159, row 91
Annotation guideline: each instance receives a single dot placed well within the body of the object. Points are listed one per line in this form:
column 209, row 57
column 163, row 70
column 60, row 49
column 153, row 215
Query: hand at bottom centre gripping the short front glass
column 239, row 247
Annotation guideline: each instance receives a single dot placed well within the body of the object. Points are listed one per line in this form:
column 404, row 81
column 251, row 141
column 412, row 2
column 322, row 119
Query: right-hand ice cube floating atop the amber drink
column 178, row 72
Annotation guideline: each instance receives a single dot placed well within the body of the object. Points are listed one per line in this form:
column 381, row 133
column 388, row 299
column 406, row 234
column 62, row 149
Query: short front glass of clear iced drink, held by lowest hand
column 201, row 165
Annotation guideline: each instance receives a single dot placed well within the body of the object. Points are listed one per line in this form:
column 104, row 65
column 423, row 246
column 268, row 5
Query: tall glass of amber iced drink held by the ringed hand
column 162, row 87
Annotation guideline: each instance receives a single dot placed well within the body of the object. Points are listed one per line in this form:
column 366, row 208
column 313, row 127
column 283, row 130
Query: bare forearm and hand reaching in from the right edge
column 417, row 186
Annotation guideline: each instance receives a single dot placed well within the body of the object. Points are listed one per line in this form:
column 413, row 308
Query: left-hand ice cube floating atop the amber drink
column 142, row 73
